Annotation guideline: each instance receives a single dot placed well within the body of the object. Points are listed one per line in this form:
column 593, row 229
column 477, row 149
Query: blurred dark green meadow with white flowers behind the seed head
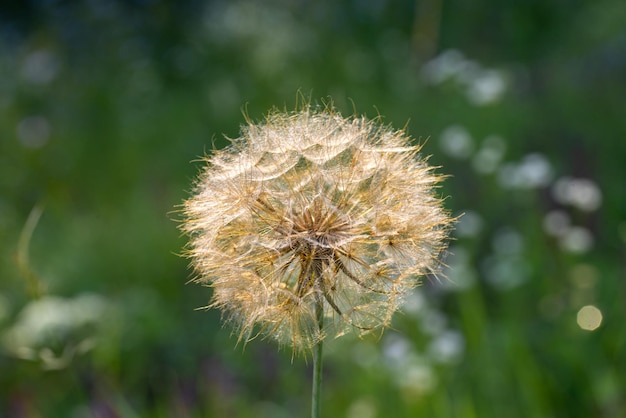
column 105, row 105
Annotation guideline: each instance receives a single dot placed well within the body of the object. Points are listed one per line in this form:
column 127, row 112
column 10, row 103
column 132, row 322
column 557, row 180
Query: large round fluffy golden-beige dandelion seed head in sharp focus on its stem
column 310, row 225
